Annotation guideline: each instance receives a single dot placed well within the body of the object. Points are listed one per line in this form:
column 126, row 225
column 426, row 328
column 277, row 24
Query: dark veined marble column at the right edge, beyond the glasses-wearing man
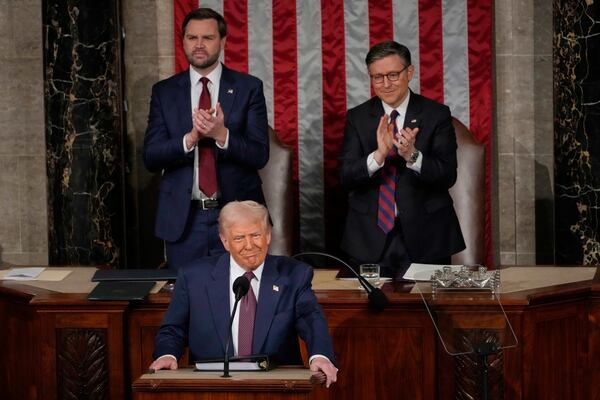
column 577, row 131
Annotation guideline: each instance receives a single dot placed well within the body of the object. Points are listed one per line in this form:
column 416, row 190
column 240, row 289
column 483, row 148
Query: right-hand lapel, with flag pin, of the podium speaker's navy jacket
column 268, row 298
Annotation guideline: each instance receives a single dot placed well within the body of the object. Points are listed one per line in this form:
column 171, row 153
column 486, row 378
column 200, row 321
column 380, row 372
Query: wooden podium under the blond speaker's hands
column 183, row 384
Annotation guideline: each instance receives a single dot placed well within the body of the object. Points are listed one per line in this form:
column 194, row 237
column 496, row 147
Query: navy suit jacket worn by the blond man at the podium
column 199, row 312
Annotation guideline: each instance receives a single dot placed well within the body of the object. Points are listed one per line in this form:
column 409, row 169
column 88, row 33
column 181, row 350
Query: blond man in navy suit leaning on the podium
column 280, row 304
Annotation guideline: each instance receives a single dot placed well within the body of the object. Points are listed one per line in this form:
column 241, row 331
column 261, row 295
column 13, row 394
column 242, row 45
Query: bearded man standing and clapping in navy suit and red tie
column 207, row 134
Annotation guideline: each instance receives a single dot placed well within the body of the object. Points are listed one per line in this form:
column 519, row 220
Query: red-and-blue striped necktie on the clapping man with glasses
column 387, row 190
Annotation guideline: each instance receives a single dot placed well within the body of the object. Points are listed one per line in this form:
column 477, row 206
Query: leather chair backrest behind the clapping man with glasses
column 468, row 194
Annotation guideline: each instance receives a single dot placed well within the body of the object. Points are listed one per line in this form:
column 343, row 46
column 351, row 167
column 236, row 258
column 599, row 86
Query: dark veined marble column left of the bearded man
column 84, row 135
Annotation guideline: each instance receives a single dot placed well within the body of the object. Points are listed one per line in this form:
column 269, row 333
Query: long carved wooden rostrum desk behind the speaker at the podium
column 61, row 346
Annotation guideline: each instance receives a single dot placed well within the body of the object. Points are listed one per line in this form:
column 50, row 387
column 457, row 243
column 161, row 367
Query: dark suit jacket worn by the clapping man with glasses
column 426, row 213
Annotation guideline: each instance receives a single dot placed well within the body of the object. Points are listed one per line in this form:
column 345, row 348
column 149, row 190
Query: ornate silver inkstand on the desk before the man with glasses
column 465, row 279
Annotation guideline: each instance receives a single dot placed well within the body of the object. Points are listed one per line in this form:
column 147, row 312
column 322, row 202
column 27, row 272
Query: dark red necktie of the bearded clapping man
column 207, row 173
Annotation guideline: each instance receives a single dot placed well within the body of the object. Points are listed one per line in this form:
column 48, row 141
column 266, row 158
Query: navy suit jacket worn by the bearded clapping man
column 170, row 118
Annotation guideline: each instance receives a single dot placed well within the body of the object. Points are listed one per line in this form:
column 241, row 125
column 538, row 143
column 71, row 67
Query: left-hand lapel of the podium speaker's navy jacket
column 218, row 297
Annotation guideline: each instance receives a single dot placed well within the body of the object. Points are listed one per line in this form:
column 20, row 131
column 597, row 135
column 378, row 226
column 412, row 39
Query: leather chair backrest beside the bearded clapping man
column 277, row 186
